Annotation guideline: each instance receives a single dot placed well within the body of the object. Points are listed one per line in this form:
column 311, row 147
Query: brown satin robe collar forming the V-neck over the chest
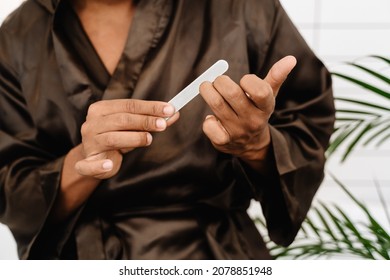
column 149, row 24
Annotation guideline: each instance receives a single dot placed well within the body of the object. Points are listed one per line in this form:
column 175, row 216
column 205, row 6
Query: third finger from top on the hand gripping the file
column 120, row 140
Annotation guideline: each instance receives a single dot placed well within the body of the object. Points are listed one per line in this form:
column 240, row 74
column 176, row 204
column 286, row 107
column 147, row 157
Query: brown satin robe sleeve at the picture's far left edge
column 29, row 174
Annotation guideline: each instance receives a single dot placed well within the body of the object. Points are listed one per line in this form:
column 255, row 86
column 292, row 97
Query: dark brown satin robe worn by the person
column 178, row 198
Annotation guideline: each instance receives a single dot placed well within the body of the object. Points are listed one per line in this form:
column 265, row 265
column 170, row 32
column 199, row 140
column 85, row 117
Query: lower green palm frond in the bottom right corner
column 329, row 231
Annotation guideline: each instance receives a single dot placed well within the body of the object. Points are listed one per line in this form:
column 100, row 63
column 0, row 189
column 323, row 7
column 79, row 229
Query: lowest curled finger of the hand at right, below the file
column 215, row 131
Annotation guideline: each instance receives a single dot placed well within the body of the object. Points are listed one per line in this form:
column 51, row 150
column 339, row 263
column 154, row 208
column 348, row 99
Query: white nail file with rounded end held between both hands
column 192, row 90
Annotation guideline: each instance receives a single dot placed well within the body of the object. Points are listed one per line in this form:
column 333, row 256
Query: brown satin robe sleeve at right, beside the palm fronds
column 300, row 126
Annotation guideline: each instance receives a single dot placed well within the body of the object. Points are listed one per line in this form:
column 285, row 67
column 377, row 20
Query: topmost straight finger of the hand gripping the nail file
column 132, row 106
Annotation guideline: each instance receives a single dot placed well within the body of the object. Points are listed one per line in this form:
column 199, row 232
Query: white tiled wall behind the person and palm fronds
column 338, row 31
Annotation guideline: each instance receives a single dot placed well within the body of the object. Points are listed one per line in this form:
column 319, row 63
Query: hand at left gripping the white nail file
column 115, row 127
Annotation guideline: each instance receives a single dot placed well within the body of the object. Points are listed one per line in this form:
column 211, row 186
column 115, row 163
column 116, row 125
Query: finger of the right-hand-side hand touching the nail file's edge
column 216, row 102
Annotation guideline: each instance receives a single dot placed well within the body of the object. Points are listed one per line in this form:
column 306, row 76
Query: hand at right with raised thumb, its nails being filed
column 240, row 124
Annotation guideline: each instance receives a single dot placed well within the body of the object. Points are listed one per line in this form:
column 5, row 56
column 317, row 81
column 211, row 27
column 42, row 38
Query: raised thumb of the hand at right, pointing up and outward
column 279, row 72
